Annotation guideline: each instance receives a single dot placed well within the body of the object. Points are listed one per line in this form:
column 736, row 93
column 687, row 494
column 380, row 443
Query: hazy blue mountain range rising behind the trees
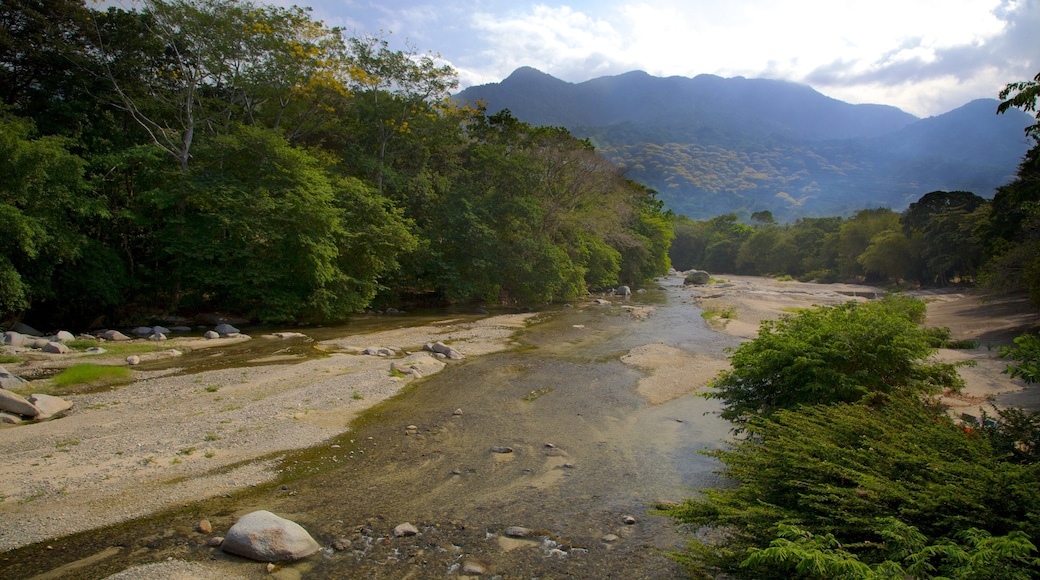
column 712, row 146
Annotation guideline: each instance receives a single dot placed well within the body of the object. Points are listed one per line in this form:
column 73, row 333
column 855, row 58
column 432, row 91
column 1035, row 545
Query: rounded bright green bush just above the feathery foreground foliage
column 844, row 354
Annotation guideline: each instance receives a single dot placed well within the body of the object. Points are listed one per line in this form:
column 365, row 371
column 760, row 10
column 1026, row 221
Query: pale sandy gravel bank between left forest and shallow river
column 170, row 439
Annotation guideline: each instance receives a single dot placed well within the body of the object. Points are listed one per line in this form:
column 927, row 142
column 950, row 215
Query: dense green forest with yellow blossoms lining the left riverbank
column 205, row 155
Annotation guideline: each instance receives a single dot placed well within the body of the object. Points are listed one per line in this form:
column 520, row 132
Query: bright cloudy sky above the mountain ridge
column 924, row 57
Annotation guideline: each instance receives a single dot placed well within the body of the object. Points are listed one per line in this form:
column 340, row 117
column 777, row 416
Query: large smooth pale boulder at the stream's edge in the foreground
column 264, row 537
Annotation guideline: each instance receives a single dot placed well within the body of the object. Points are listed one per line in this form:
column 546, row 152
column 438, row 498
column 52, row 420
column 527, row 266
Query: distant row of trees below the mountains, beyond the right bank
column 945, row 238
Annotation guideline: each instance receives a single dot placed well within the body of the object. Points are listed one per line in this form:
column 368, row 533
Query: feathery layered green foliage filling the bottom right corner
column 848, row 488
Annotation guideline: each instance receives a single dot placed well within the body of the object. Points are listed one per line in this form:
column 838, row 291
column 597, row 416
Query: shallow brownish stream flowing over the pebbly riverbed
column 588, row 453
